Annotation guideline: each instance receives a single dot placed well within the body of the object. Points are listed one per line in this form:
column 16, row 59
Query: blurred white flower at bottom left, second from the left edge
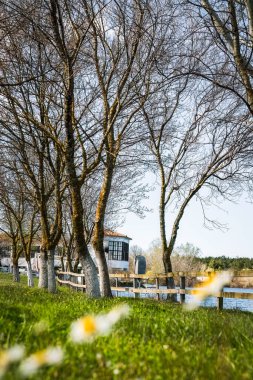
column 51, row 355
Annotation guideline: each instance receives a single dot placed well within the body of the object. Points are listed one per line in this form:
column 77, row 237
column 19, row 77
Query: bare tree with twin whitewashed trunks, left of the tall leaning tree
column 37, row 159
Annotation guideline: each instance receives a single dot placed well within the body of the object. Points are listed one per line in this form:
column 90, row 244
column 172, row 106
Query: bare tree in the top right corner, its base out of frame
column 225, row 30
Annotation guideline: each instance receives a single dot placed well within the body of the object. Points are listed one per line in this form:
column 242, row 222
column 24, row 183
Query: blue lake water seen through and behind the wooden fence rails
column 228, row 303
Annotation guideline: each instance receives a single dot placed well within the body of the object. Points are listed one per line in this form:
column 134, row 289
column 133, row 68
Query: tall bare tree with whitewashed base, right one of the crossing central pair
column 126, row 40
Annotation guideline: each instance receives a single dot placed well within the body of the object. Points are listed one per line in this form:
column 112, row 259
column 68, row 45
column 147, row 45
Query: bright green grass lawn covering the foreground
column 158, row 341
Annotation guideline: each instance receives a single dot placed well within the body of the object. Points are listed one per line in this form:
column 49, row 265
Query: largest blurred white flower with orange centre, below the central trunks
column 89, row 327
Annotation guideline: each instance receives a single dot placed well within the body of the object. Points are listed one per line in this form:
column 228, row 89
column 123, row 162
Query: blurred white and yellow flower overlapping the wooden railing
column 210, row 287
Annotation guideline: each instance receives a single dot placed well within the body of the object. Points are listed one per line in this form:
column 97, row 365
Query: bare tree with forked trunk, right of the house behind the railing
column 198, row 154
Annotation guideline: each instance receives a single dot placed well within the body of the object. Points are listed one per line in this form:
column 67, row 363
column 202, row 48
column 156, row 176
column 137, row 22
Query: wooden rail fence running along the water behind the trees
column 72, row 279
